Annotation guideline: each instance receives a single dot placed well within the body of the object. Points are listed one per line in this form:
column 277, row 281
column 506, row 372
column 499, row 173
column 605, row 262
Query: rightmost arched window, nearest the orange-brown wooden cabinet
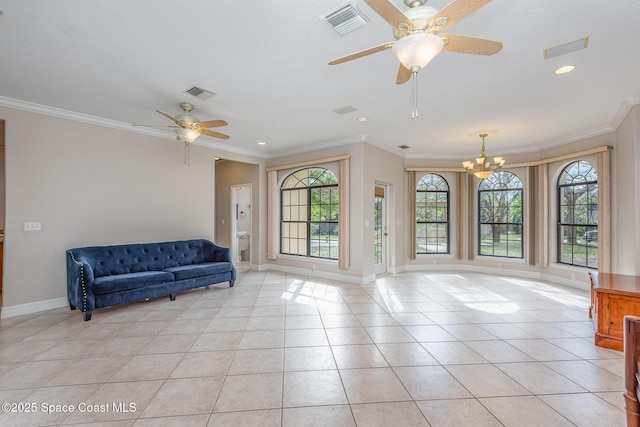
column 578, row 215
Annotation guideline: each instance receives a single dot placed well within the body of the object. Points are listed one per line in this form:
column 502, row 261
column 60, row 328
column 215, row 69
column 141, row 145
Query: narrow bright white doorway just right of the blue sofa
column 241, row 224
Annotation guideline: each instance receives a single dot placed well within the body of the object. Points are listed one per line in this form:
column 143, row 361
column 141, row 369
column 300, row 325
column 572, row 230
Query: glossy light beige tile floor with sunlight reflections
column 412, row 349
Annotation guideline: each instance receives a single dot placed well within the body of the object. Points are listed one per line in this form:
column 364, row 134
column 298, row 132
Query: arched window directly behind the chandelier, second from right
column 500, row 216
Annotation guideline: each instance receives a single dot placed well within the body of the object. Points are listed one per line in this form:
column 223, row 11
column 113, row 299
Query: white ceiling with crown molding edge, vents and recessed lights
column 118, row 61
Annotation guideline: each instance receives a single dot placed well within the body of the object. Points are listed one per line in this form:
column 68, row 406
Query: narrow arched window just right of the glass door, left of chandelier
column 432, row 215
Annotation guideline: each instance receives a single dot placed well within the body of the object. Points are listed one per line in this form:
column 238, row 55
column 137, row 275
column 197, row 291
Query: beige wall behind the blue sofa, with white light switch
column 91, row 185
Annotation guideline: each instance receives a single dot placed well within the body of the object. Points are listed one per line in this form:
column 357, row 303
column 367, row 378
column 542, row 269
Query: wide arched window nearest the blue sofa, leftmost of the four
column 309, row 214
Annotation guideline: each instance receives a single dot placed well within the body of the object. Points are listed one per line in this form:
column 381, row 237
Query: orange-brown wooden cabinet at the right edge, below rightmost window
column 613, row 296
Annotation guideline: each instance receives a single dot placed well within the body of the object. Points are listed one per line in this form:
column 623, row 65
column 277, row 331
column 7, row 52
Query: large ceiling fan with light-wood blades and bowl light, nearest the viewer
column 416, row 40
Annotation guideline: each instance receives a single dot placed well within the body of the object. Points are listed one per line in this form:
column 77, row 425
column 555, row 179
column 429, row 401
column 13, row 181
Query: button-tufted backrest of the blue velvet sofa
column 135, row 258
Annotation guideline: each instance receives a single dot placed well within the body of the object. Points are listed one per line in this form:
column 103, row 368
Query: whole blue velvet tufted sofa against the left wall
column 104, row 276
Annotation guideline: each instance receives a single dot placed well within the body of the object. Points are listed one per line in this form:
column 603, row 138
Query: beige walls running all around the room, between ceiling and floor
column 91, row 185
